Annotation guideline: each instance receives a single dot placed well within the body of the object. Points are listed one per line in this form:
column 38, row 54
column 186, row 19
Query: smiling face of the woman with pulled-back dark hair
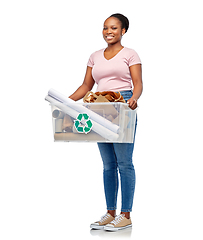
column 112, row 31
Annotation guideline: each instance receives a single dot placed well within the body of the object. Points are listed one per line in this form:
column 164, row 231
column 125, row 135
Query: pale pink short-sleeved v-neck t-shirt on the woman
column 113, row 74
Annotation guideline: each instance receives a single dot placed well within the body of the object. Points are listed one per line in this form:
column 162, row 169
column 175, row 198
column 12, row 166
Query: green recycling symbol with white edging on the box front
column 83, row 124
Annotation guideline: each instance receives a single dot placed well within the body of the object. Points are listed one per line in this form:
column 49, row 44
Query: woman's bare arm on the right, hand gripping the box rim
column 136, row 75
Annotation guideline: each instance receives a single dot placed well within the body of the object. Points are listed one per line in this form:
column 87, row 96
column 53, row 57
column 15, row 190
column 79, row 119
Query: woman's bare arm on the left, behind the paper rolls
column 87, row 85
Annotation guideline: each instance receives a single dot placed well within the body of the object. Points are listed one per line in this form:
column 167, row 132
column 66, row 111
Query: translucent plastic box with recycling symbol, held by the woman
column 97, row 122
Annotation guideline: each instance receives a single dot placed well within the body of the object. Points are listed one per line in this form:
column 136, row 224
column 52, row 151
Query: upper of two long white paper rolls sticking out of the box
column 81, row 109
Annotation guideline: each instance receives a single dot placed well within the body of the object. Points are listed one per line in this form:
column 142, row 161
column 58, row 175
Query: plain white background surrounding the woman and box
column 54, row 190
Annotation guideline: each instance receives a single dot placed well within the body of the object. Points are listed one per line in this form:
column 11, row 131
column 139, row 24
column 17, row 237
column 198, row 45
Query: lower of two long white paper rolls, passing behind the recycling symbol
column 98, row 128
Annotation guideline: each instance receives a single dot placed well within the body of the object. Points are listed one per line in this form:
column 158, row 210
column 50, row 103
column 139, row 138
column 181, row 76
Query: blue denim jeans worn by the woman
column 118, row 156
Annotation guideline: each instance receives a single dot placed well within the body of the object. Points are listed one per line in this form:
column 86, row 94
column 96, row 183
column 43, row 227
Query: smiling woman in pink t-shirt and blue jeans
column 115, row 68
